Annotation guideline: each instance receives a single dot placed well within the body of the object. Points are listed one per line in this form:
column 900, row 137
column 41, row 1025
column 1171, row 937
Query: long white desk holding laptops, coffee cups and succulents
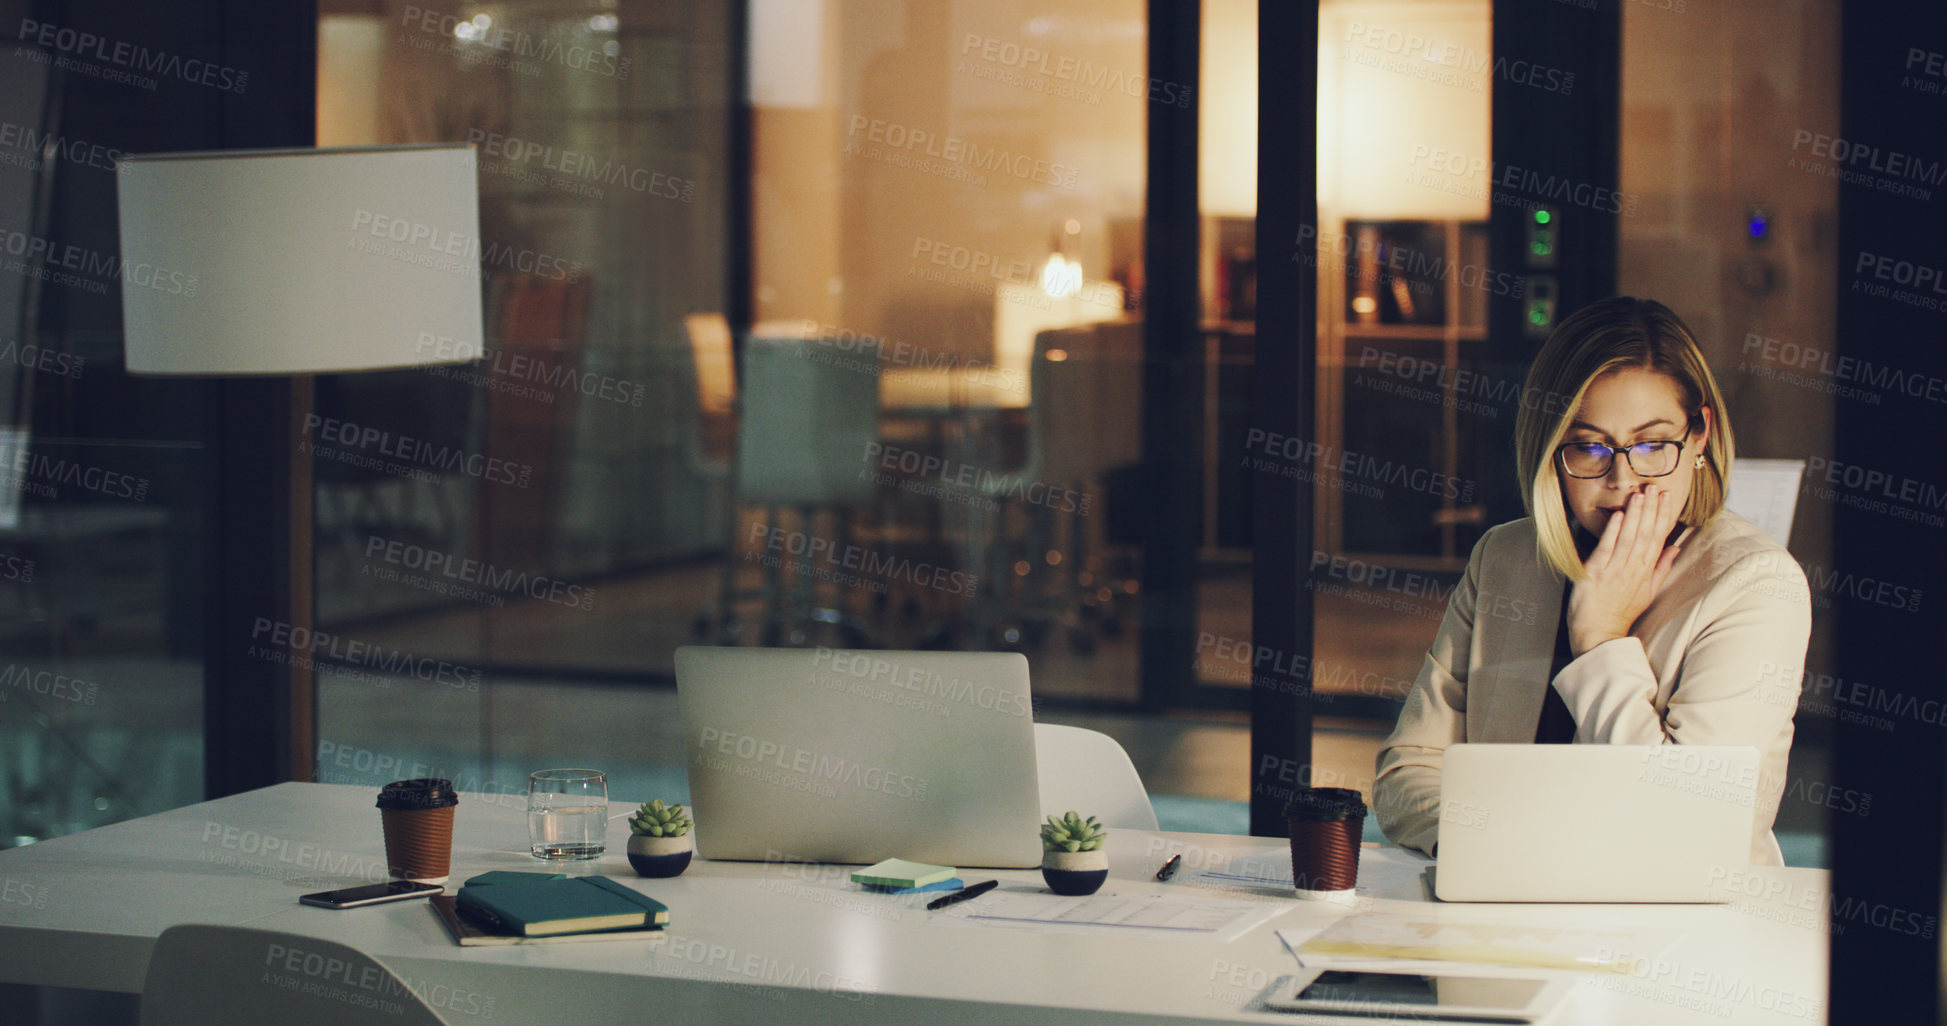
column 772, row 943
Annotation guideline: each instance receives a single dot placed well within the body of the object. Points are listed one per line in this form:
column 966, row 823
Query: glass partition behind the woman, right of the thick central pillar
column 1416, row 383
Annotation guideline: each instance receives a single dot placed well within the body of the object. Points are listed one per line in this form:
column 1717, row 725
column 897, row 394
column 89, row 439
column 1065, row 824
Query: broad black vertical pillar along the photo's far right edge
column 1888, row 457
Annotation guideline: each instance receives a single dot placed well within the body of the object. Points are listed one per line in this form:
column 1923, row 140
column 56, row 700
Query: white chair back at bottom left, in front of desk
column 237, row 976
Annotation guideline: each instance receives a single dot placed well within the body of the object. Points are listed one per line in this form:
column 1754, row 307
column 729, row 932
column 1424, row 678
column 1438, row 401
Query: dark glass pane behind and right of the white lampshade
column 548, row 521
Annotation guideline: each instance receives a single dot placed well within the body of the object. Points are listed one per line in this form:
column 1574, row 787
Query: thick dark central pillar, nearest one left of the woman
column 1286, row 367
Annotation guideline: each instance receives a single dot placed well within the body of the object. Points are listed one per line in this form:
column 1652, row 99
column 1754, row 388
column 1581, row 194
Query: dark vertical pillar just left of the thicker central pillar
column 1173, row 365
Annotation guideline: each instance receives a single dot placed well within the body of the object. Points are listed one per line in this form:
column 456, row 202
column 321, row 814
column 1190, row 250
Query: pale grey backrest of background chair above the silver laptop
column 807, row 423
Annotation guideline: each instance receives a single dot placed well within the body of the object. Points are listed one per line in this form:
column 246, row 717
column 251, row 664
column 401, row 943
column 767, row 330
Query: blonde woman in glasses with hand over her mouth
column 1629, row 606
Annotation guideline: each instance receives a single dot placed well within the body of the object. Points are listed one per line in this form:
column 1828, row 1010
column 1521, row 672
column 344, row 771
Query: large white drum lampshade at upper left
column 301, row 262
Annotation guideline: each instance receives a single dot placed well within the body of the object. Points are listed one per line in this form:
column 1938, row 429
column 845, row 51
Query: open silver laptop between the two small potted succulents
column 856, row 756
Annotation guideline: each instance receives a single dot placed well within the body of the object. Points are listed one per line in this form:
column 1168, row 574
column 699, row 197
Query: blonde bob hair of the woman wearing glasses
column 1594, row 342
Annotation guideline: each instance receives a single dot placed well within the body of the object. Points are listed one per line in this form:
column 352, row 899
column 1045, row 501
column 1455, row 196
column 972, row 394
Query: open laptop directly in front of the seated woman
column 1594, row 823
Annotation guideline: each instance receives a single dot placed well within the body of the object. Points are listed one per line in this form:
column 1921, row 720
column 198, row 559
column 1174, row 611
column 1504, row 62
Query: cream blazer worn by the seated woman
column 1716, row 659
